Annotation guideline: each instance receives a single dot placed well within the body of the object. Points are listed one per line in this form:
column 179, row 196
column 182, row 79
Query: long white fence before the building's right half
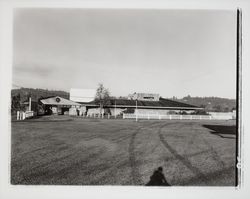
column 174, row 117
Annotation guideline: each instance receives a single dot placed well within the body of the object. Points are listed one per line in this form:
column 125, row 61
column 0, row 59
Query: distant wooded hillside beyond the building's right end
column 216, row 104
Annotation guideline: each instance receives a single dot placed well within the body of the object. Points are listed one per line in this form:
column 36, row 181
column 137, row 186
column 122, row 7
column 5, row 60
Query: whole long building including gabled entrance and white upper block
column 142, row 103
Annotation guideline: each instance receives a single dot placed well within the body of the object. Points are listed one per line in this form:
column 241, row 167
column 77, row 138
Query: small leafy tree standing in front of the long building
column 102, row 95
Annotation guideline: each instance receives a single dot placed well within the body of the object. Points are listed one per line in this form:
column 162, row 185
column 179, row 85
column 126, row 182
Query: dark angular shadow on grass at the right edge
column 222, row 131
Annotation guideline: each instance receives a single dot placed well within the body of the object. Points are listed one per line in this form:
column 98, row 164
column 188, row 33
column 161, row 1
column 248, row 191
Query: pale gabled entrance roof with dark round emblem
column 56, row 100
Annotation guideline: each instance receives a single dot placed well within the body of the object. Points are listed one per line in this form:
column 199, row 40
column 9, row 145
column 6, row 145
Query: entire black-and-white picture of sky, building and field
column 127, row 97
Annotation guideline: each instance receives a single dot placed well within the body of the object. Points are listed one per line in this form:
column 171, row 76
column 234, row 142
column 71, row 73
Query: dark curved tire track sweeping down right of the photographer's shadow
column 184, row 160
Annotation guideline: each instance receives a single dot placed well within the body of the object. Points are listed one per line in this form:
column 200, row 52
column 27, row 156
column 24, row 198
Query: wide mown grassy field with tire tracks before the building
column 64, row 150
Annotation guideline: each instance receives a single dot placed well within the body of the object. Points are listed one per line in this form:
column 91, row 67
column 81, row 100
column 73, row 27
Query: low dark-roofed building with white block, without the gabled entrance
column 141, row 103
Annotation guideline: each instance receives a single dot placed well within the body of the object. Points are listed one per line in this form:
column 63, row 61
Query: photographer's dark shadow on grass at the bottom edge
column 158, row 178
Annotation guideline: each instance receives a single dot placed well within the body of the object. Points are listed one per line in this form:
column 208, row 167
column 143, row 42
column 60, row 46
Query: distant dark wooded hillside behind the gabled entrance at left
column 37, row 93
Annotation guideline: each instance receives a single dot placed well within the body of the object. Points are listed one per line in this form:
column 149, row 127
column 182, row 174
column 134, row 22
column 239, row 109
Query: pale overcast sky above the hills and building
column 170, row 52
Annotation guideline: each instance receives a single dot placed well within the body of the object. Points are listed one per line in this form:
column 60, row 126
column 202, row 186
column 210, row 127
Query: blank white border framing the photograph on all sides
column 6, row 42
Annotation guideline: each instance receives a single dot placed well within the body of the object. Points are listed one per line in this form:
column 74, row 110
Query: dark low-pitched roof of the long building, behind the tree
column 161, row 104
